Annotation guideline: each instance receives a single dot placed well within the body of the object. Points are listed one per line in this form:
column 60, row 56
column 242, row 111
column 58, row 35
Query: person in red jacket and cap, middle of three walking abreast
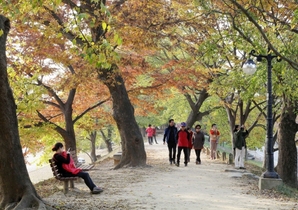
column 182, row 137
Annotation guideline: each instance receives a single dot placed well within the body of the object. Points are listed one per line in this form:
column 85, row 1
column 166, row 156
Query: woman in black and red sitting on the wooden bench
column 66, row 167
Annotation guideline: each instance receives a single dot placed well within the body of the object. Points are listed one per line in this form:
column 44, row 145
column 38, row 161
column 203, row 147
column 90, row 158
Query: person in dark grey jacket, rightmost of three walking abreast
column 198, row 142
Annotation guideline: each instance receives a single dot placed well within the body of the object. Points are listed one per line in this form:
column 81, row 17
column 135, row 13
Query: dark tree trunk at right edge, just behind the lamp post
column 287, row 156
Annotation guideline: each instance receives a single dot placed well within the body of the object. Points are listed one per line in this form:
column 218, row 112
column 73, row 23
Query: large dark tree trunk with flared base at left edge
column 17, row 191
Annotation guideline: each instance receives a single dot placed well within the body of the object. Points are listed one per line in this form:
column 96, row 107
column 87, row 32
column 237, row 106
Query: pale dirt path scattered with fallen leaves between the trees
column 164, row 186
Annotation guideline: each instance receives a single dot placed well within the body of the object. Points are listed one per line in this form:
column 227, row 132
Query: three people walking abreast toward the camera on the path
column 186, row 139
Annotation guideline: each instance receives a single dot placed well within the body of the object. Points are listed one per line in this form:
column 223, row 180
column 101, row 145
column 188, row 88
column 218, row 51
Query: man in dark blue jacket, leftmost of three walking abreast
column 170, row 136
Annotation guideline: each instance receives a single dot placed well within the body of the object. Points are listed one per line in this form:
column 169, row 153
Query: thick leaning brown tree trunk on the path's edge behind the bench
column 133, row 151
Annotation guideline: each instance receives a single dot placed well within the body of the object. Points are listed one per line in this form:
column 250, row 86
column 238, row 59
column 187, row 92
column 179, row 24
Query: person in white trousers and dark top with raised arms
column 240, row 133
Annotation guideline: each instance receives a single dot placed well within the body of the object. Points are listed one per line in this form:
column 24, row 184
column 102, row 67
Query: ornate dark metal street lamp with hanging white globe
column 250, row 67
